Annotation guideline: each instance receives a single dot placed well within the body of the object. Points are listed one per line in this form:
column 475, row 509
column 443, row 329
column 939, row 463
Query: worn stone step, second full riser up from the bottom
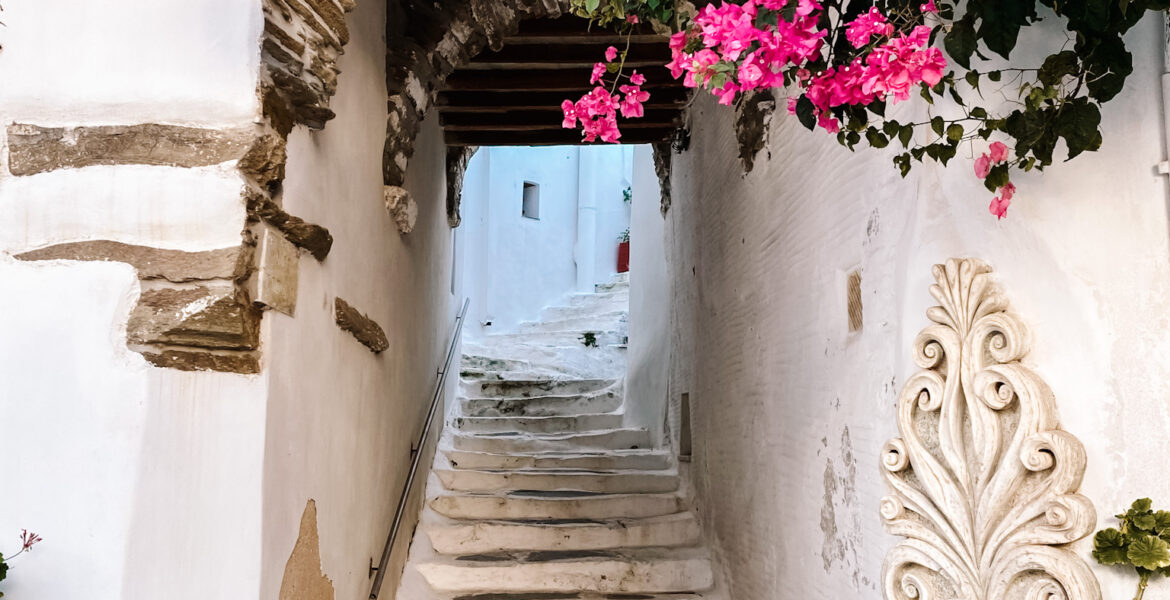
column 492, row 537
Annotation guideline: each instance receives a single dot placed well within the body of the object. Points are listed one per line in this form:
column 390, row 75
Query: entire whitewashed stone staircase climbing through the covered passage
column 540, row 491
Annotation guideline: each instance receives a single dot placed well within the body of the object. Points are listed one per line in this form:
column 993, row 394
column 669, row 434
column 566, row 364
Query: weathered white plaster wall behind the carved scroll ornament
column 792, row 411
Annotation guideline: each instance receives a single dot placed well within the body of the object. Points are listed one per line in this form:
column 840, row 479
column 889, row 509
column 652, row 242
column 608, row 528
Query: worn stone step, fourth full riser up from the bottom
column 600, row 482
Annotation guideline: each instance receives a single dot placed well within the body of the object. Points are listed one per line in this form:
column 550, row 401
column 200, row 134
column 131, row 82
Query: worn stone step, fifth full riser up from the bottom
column 623, row 460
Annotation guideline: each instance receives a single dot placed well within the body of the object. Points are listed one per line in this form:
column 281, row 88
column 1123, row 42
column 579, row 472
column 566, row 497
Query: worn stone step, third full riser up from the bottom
column 556, row 506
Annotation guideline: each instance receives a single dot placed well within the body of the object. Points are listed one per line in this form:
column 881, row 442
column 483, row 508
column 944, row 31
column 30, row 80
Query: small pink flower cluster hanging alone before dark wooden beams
column 597, row 112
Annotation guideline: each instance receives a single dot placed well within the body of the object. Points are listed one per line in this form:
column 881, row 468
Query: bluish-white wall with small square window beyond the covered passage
column 515, row 266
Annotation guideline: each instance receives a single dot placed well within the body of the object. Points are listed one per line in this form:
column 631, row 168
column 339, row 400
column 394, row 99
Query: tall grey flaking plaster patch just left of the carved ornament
column 839, row 520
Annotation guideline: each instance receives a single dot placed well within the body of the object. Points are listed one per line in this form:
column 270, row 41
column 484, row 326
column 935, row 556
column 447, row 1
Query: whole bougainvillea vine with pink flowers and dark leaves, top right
column 843, row 65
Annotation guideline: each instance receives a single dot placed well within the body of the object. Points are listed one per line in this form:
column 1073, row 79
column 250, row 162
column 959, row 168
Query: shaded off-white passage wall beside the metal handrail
column 341, row 419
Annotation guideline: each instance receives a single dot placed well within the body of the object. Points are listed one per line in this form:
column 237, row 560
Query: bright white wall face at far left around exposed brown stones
column 144, row 482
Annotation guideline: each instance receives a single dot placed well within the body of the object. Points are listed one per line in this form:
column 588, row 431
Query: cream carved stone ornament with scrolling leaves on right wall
column 983, row 480
